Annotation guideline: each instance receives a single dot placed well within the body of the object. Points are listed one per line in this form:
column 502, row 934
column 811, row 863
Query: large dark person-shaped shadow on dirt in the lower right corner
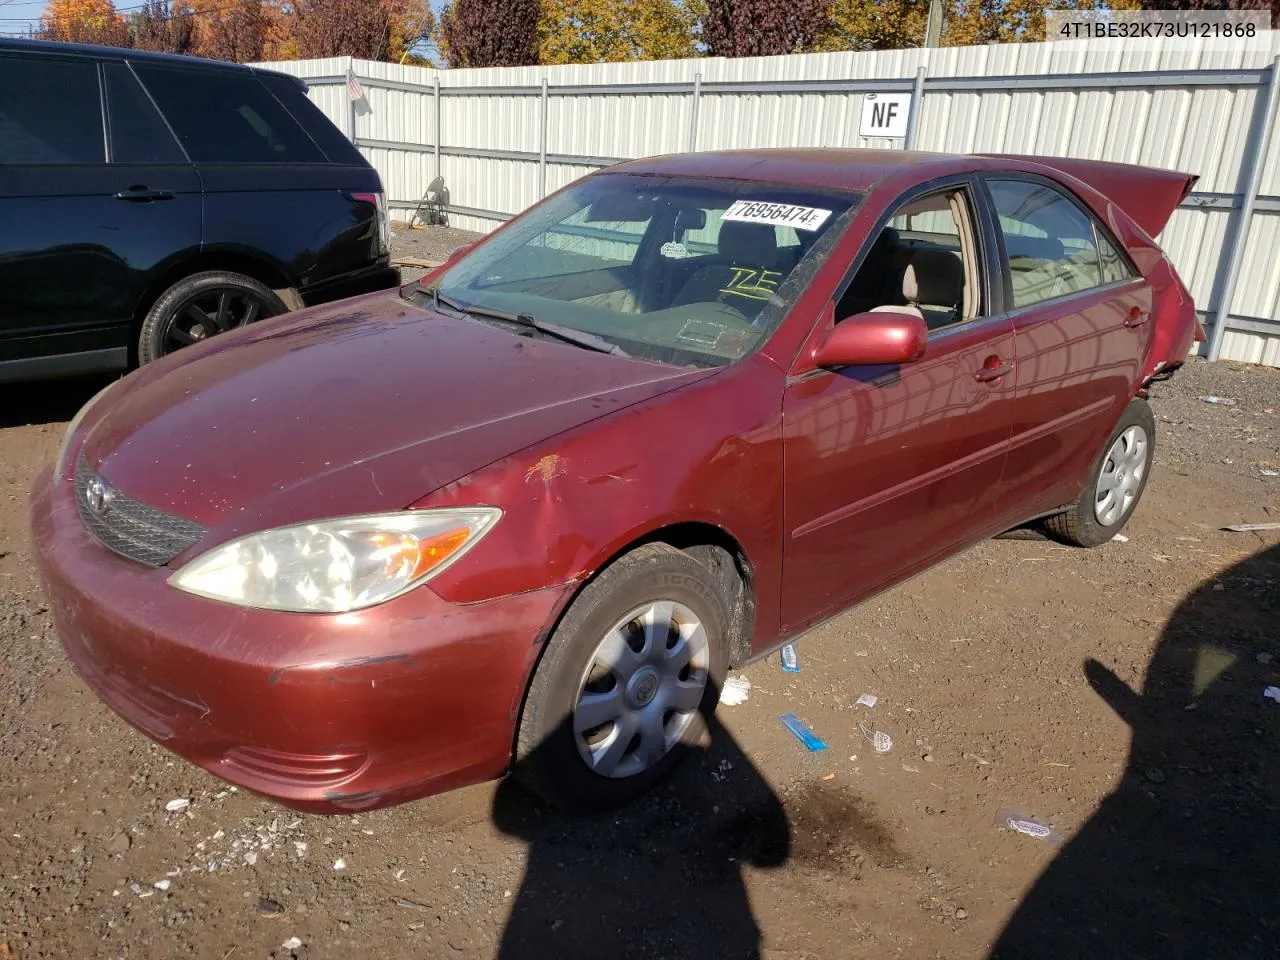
column 1183, row 858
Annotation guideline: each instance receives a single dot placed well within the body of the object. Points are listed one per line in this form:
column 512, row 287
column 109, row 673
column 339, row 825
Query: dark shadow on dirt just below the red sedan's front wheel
column 659, row 879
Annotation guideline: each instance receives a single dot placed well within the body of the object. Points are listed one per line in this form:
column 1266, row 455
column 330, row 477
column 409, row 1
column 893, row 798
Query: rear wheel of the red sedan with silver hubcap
column 1126, row 461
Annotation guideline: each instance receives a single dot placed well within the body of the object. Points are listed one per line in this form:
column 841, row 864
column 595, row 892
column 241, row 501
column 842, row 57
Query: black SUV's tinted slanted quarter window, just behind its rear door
column 227, row 118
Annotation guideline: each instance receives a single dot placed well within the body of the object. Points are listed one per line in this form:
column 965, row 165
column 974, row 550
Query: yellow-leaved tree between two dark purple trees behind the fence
column 618, row 31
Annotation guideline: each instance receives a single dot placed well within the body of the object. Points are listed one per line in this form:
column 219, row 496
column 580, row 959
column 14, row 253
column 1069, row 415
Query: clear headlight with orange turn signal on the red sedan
column 333, row 566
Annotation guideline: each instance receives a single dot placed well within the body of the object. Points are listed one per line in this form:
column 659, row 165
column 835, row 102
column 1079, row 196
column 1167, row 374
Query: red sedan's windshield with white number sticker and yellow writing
column 669, row 269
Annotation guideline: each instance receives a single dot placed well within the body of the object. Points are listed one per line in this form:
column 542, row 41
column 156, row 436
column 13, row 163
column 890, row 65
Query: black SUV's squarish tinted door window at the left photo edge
column 51, row 112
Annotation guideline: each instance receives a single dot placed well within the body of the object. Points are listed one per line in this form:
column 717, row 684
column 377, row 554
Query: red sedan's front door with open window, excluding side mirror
column 890, row 468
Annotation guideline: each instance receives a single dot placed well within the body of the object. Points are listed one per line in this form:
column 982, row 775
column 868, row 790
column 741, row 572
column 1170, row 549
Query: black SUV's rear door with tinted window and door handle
column 77, row 239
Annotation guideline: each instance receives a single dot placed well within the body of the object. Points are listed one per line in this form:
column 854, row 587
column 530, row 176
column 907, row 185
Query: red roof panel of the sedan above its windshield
column 826, row 167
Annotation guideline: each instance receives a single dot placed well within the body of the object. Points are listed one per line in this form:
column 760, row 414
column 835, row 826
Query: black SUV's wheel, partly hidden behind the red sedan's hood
column 202, row 307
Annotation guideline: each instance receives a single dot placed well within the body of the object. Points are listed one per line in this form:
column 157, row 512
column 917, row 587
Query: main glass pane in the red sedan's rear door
column 1050, row 243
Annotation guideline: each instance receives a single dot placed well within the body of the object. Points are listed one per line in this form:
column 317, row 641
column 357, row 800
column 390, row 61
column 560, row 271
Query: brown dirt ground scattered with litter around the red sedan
column 1116, row 696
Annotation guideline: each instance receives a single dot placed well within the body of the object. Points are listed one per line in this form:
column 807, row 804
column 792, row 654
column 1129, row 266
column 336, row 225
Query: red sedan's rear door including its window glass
column 1081, row 317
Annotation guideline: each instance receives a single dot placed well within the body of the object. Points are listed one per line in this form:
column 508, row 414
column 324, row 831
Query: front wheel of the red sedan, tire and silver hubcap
column 554, row 746
